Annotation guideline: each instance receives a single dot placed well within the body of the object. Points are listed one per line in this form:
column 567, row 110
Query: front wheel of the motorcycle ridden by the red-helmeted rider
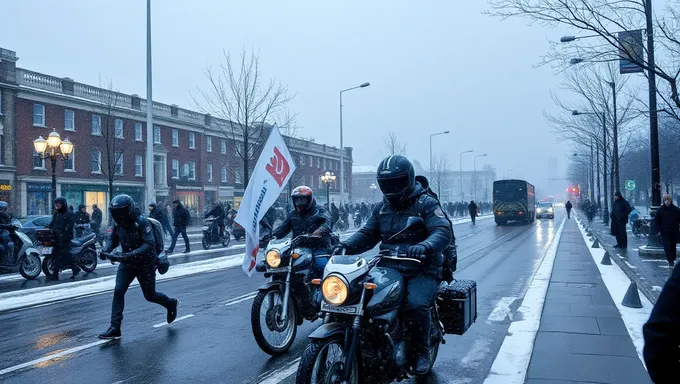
column 273, row 335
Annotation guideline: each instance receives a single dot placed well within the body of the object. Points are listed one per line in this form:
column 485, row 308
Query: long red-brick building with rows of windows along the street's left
column 194, row 161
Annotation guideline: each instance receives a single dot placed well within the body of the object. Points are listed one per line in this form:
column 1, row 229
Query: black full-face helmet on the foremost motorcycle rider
column 396, row 178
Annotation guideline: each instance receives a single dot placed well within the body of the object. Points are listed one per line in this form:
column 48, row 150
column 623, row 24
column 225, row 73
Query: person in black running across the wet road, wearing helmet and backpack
column 135, row 235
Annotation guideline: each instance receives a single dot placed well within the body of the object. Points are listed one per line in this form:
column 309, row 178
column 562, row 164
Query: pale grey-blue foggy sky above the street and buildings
column 433, row 66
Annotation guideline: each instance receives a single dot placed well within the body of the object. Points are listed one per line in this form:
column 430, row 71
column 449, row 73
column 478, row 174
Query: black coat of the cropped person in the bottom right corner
column 662, row 334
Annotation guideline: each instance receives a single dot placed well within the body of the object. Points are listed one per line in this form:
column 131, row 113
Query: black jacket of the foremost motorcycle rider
column 387, row 221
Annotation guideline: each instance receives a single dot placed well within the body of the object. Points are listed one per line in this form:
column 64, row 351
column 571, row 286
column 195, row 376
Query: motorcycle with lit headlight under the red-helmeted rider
column 289, row 297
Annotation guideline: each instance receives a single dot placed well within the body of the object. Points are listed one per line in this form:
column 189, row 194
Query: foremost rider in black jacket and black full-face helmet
column 404, row 197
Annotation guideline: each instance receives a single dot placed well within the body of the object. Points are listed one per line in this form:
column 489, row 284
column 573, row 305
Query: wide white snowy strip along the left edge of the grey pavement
column 512, row 360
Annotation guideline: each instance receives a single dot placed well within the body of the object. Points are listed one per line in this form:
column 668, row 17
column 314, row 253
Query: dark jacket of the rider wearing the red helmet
column 316, row 219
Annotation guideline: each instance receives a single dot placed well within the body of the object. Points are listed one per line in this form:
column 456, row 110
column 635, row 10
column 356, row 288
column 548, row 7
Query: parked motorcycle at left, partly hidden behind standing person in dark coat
column 83, row 252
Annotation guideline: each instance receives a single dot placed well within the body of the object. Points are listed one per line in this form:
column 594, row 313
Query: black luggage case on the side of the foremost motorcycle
column 458, row 306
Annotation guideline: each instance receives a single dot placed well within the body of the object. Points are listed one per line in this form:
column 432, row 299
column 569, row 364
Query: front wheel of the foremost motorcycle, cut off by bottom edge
column 323, row 361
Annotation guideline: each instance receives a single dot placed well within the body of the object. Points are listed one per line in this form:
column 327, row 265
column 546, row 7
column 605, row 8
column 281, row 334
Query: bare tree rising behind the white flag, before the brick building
column 245, row 102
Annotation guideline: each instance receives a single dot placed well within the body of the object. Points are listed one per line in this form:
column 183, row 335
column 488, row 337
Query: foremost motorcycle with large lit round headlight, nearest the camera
column 363, row 333
